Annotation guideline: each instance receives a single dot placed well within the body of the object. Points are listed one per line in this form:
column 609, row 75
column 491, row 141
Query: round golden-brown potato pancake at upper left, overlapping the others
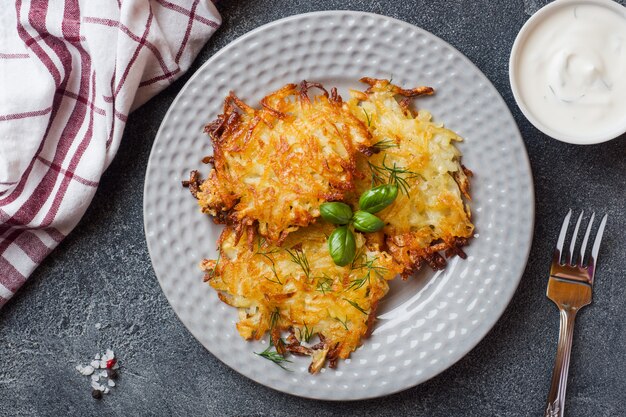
column 274, row 166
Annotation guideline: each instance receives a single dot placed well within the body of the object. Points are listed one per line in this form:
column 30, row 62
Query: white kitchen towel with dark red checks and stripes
column 70, row 72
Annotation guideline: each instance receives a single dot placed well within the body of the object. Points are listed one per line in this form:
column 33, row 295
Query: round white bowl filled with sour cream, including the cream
column 568, row 70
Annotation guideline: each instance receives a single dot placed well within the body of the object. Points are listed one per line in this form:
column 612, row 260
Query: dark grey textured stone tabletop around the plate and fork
column 102, row 273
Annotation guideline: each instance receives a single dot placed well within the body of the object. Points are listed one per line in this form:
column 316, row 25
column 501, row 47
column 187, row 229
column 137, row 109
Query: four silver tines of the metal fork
column 570, row 256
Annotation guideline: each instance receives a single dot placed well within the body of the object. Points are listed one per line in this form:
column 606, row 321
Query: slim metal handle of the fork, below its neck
column 556, row 397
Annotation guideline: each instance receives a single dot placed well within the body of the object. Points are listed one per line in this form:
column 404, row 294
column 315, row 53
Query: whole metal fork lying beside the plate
column 570, row 286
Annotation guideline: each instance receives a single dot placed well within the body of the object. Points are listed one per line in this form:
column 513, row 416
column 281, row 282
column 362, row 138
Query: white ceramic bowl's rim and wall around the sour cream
column 603, row 134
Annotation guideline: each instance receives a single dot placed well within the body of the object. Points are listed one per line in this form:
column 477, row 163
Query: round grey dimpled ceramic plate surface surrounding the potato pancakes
column 425, row 324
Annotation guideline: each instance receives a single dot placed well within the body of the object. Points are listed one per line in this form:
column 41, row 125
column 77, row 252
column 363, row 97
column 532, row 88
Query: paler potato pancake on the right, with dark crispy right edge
column 430, row 214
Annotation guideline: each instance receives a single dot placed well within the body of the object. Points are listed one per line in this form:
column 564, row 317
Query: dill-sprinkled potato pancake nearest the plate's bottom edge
column 298, row 289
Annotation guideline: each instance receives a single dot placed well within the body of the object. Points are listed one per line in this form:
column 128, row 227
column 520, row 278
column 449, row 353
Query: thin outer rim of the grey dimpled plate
column 515, row 276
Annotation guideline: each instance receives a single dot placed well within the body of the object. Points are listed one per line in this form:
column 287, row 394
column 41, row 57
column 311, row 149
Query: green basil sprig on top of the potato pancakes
column 341, row 242
